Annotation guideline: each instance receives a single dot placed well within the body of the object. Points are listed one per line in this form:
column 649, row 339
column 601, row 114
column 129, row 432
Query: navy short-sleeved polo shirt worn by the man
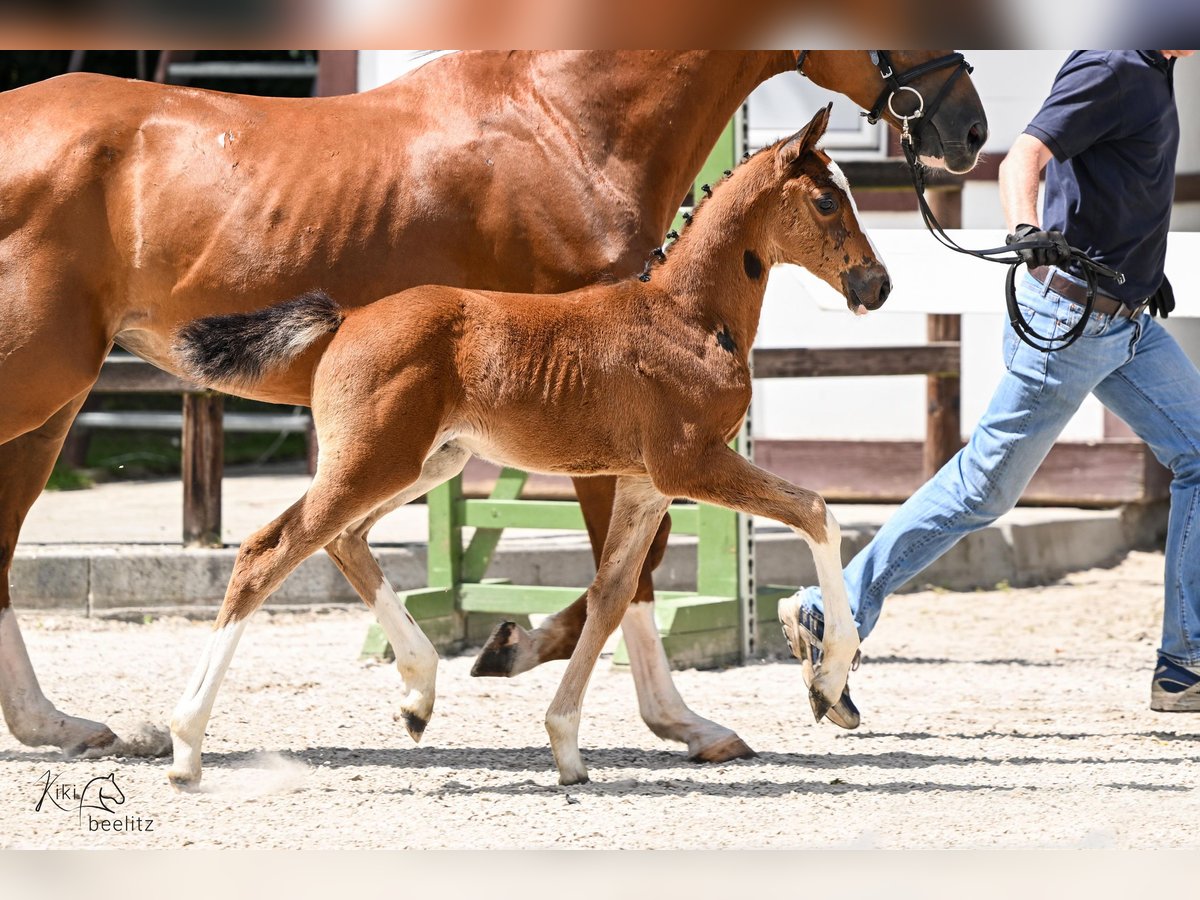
column 1112, row 124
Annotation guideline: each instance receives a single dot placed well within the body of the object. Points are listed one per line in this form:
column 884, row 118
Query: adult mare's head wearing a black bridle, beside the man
column 952, row 127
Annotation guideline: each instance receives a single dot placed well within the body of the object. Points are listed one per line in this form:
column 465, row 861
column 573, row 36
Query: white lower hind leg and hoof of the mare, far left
column 32, row 718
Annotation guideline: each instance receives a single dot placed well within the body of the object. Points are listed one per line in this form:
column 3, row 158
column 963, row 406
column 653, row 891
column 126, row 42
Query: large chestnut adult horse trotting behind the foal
column 130, row 208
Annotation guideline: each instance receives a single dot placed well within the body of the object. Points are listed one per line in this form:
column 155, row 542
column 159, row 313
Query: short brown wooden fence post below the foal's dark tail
column 203, row 449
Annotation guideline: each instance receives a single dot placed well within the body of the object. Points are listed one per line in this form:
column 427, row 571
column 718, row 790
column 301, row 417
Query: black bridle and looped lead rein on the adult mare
column 897, row 83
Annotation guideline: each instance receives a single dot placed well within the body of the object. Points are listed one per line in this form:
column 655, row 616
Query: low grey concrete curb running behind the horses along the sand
column 100, row 580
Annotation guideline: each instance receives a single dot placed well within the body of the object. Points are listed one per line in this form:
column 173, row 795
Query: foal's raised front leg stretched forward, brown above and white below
column 722, row 477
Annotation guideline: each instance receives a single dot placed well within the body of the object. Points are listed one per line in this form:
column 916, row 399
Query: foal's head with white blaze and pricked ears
column 814, row 221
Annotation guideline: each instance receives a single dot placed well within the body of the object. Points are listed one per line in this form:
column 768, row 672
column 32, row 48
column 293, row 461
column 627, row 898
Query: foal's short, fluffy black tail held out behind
column 244, row 346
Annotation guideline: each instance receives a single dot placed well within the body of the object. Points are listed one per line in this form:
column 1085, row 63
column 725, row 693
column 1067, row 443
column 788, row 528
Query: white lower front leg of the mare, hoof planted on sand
column 663, row 710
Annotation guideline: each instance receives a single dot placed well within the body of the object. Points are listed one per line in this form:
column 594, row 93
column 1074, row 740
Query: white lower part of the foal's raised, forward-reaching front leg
column 841, row 640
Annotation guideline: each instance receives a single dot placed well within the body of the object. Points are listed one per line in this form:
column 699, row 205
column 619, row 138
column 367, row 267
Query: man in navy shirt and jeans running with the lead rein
column 1108, row 137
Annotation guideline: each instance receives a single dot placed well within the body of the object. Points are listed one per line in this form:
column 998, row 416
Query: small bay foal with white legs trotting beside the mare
column 646, row 381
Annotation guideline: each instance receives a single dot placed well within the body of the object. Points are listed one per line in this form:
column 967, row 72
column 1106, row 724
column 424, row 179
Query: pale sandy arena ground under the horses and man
column 1001, row 719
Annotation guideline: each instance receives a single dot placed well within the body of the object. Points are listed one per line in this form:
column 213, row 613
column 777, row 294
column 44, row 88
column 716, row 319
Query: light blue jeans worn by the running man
column 1138, row 371
